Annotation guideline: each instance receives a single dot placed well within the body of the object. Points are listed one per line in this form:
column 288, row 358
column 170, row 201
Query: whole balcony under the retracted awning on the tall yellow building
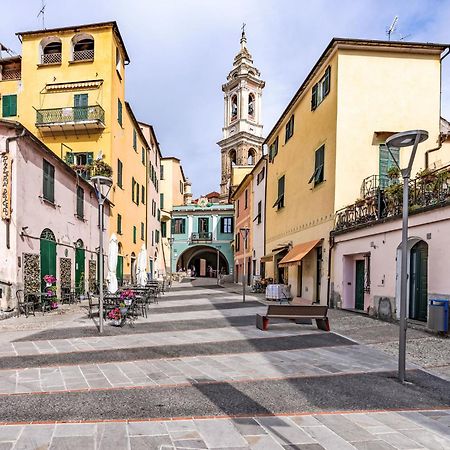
column 71, row 118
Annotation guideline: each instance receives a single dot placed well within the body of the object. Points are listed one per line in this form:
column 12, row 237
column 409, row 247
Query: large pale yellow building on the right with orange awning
column 330, row 140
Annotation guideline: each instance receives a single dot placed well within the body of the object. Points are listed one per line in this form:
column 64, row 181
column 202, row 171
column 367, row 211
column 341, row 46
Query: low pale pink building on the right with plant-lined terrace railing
column 366, row 249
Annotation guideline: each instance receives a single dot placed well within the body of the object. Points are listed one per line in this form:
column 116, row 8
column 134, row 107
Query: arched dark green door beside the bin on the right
column 418, row 288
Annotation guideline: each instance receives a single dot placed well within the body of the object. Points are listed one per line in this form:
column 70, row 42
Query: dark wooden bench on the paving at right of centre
column 295, row 312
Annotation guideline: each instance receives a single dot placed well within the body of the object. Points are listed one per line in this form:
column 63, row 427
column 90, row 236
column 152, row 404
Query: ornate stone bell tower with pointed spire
column 242, row 131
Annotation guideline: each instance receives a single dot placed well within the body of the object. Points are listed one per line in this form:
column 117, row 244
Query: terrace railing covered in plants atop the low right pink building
column 429, row 188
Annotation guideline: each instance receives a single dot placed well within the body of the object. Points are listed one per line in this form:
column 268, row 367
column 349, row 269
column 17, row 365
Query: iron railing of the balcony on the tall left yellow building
column 70, row 115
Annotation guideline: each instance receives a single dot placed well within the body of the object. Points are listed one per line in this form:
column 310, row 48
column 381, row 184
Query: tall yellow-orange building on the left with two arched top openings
column 68, row 88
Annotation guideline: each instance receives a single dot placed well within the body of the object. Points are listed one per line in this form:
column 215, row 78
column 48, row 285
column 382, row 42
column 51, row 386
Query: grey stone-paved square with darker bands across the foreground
column 197, row 374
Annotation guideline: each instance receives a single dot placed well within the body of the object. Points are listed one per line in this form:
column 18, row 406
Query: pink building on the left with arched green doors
column 49, row 218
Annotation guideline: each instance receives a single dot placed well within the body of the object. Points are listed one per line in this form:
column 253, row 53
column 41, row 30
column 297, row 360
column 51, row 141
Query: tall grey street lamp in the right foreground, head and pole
column 405, row 139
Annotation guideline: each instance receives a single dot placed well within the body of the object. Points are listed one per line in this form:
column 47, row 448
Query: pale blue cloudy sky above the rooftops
column 182, row 50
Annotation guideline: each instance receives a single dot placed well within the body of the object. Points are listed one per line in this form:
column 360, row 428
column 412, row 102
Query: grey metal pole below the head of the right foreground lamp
column 403, row 282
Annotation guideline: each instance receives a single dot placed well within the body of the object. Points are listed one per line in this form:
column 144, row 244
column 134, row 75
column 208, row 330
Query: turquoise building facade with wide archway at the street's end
column 202, row 236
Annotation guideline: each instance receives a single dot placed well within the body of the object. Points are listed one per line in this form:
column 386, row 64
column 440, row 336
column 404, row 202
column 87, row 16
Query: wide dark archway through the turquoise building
column 203, row 259
